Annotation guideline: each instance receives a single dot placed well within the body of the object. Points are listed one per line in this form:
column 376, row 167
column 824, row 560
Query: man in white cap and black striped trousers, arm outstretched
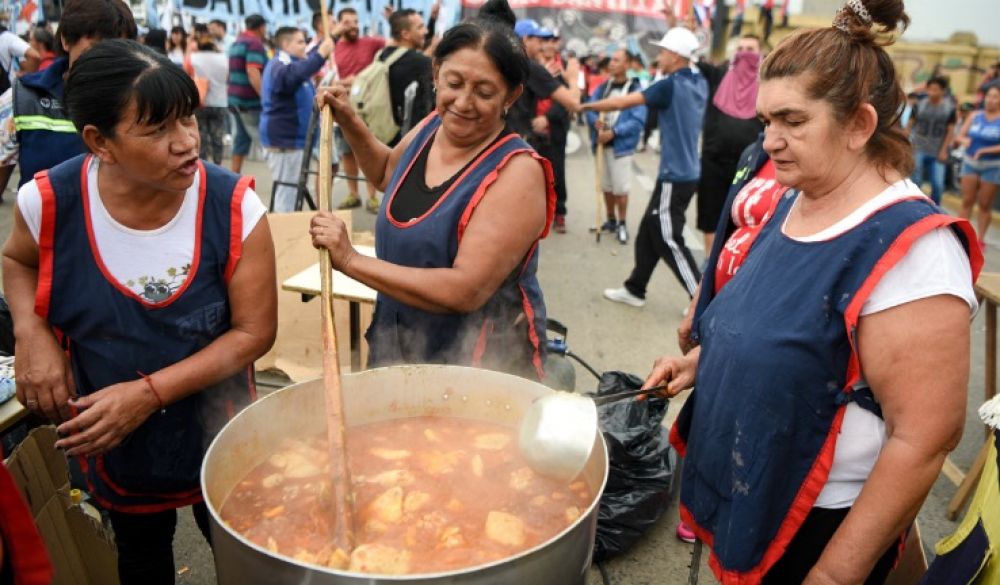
column 680, row 98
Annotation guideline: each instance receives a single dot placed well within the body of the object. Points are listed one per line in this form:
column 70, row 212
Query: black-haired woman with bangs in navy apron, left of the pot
column 142, row 283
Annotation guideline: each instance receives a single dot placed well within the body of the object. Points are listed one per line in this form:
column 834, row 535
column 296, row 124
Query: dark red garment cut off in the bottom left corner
column 27, row 555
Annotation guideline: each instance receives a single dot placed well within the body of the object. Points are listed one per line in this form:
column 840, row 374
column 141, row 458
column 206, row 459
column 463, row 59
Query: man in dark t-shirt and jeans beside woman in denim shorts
column 930, row 126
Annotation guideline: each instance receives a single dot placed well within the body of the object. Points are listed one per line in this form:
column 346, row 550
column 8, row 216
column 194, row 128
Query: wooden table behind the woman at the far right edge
column 988, row 292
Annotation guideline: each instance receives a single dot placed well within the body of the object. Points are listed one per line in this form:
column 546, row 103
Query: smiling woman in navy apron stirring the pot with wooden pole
column 466, row 203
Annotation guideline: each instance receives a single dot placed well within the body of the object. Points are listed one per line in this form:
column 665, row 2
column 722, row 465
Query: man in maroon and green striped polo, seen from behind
column 247, row 58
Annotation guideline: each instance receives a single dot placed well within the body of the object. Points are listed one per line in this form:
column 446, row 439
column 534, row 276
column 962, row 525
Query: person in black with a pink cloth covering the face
column 731, row 125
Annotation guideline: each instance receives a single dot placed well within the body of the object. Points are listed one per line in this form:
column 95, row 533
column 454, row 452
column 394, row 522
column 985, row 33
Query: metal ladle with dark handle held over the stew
column 558, row 430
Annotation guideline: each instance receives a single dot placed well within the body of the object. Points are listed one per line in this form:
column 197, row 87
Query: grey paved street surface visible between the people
column 574, row 270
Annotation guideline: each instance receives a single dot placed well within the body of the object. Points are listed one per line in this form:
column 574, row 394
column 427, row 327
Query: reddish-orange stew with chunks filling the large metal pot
column 430, row 494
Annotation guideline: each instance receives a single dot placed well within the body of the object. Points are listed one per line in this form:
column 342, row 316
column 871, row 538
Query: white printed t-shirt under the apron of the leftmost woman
column 151, row 263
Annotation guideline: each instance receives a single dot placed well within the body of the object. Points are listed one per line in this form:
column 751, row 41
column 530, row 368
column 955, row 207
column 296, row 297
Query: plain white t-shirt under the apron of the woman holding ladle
column 936, row 264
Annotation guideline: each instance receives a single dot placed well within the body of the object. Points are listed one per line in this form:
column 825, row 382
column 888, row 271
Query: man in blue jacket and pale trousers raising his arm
column 288, row 94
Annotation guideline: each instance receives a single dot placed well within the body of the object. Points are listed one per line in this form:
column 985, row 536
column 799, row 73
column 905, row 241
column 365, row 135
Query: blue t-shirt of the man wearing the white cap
column 680, row 99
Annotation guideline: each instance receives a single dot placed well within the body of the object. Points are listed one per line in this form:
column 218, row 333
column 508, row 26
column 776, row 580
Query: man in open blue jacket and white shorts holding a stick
column 619, row 132
